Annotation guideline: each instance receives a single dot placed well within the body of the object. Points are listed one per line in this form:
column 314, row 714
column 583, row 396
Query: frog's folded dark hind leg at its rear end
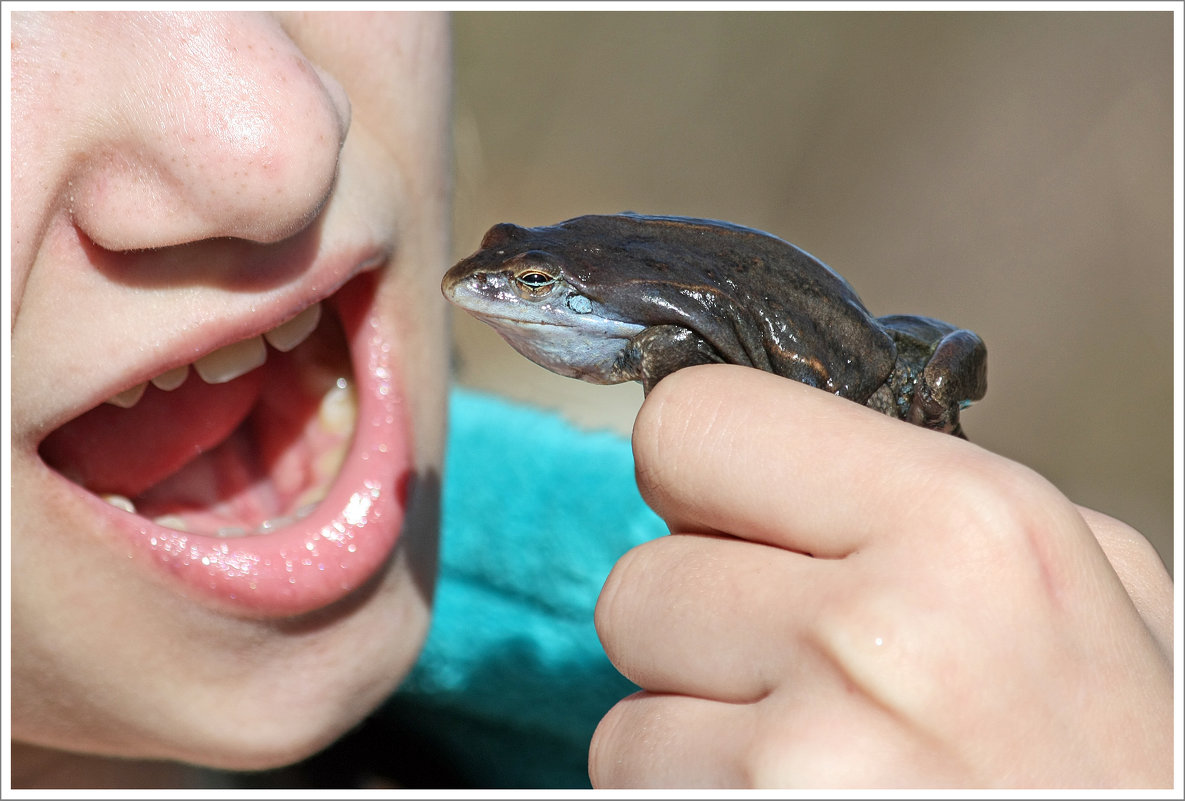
column 953, row 377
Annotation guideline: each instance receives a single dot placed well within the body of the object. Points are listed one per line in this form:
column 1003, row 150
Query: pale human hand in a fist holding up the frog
column 850, row 601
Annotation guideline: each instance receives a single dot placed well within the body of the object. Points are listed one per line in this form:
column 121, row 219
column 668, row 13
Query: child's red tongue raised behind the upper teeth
column 126, row 451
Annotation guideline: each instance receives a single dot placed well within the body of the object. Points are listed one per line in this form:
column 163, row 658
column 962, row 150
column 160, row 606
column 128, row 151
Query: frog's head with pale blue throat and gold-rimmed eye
column 521, row 284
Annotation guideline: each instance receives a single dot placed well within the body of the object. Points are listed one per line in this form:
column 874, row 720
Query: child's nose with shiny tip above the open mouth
column 220, row 127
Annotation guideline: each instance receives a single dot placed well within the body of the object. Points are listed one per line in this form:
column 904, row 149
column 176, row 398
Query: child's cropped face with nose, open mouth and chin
column 236, row 569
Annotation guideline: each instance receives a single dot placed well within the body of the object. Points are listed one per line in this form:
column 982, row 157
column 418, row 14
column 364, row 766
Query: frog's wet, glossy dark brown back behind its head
column 753, row 297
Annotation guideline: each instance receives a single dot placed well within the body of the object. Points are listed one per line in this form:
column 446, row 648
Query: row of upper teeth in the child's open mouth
column 233, row 361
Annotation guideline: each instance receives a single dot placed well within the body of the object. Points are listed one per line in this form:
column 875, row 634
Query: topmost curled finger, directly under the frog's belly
column 721, row 448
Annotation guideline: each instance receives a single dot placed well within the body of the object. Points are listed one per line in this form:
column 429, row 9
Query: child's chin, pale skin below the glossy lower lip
column 202, row 688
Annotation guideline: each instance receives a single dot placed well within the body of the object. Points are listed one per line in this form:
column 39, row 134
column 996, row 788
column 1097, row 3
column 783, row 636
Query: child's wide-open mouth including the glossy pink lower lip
column 268, row 473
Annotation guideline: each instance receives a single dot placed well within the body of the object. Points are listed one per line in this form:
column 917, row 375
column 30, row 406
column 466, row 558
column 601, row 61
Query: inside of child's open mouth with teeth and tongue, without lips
column 245, row 441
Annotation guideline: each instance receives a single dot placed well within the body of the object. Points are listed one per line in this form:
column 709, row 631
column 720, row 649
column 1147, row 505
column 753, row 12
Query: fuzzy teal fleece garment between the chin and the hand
column 513, row 680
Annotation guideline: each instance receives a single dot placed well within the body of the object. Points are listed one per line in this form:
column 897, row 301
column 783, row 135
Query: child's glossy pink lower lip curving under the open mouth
column 345, row 542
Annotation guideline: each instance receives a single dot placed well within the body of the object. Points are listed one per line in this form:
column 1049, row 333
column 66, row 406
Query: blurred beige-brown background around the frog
column 1007, row 171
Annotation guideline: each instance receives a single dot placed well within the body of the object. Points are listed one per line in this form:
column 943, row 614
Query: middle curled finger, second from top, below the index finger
column 712, row 617
